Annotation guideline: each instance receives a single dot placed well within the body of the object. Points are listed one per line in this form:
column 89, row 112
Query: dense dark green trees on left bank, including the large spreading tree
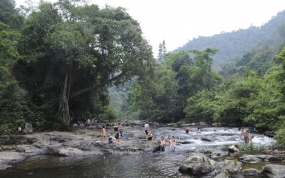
column 59, row 69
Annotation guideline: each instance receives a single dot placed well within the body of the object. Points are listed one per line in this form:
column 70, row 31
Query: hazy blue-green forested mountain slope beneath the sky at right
column 235, row 43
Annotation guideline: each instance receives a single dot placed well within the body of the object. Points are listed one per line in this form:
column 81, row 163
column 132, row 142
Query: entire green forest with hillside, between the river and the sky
column 67, row 61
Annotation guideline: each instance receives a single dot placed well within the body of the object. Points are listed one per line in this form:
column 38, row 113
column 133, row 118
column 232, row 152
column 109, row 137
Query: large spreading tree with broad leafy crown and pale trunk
column 71, row 49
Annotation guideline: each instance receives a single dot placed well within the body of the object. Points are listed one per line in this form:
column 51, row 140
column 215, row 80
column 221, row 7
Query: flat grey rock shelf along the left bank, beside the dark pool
column 80, row 142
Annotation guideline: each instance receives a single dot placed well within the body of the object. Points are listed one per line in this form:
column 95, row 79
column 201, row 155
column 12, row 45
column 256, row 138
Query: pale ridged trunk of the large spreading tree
column 63, row 102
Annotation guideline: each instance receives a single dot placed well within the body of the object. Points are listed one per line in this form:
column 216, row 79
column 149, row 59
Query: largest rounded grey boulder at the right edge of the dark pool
column 197, row 164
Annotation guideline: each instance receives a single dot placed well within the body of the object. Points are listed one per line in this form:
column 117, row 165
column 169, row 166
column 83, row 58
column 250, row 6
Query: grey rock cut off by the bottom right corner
column 273, row 171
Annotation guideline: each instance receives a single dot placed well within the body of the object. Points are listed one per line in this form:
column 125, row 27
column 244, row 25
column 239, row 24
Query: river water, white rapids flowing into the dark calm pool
column 159, row 164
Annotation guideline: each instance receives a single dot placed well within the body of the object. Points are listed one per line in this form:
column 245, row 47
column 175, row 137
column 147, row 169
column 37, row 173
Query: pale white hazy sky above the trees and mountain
column 179, row 21
